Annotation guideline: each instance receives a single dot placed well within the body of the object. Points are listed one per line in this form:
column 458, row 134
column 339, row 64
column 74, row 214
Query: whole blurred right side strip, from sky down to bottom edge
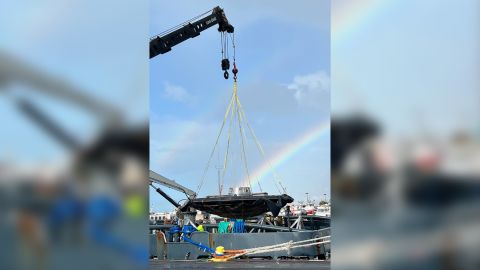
column 405, row 134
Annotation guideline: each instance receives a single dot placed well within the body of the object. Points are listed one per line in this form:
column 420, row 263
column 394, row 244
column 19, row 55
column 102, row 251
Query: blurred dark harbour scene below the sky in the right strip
column 409, row 204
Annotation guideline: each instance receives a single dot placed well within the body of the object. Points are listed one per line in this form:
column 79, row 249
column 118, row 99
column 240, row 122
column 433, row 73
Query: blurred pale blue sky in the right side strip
column 413, row 65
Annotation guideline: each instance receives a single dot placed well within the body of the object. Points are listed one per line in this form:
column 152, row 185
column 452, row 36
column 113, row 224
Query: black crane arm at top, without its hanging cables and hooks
column 162, row 44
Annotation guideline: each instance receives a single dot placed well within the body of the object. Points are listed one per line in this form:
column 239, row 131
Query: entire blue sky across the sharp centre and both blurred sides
column 389, row 58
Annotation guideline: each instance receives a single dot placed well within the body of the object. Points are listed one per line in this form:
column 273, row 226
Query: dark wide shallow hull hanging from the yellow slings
column 240, row 206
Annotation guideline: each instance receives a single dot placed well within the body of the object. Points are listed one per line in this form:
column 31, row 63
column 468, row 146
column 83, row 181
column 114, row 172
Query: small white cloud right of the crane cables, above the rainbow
column 310, row 90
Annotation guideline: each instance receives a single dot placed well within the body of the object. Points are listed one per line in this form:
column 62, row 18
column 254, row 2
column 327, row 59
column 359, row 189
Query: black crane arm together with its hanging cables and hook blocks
column 163, row 42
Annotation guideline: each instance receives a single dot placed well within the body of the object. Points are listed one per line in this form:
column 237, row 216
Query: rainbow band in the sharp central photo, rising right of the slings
column 287, row 152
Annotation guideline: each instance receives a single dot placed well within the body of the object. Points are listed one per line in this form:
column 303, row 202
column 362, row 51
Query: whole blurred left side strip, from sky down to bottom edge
column 74, row 158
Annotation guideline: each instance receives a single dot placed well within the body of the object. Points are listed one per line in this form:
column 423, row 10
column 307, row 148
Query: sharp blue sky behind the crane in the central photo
column 283, row 57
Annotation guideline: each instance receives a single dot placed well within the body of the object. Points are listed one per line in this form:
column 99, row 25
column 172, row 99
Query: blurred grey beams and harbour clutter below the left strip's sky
column 85, row 213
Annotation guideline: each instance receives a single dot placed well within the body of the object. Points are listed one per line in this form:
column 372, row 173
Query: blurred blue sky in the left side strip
column 88, row 47
